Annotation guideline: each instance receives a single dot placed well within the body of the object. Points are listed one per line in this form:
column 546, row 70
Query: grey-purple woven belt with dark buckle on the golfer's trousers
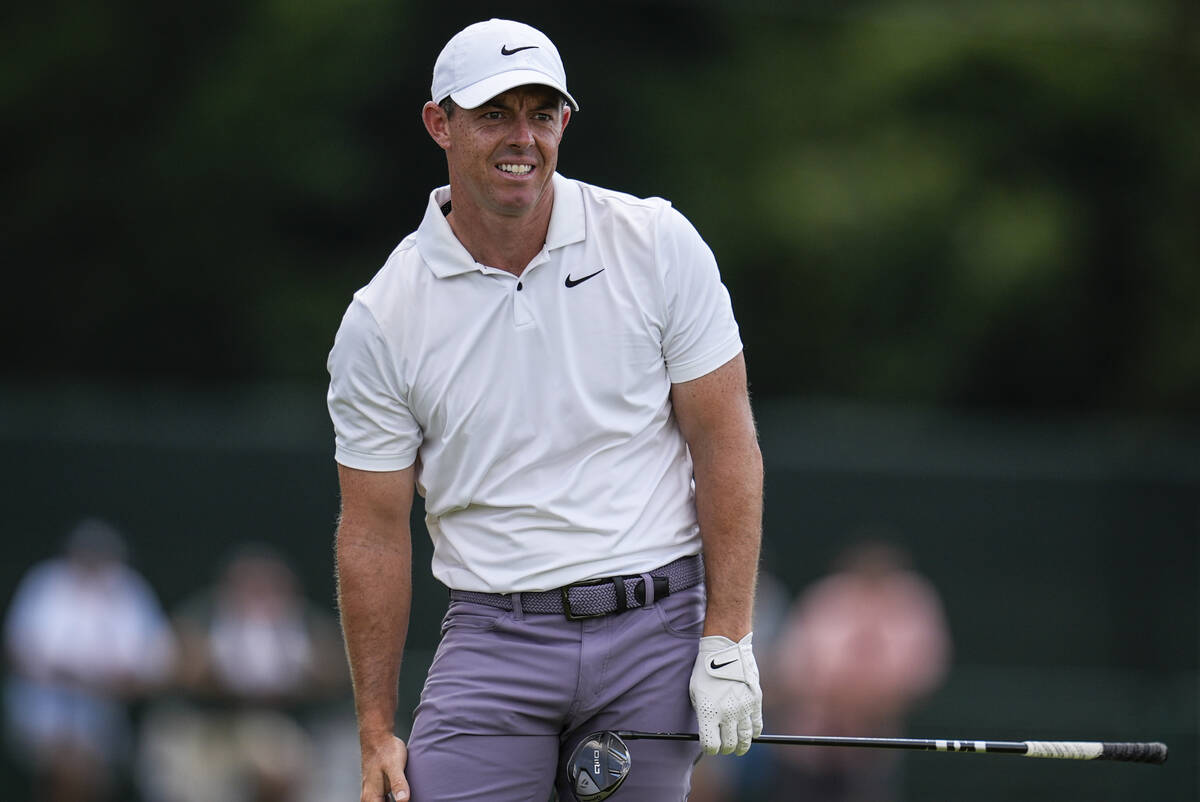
column 598, row 597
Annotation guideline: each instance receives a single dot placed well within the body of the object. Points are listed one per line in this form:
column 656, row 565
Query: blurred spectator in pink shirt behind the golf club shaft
column 861, row 648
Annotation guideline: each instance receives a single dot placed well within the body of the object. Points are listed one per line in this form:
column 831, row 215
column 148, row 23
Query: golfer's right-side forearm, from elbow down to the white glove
column 729, row 506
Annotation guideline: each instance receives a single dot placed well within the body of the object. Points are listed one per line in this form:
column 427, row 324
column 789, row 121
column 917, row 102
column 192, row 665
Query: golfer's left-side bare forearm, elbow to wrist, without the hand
column 375, row 598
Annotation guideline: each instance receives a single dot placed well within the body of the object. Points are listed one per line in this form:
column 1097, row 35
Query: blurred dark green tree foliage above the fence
column 989, row 205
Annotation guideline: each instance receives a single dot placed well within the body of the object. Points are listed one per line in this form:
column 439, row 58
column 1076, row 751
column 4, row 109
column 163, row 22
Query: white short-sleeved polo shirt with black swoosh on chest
column 538, row 409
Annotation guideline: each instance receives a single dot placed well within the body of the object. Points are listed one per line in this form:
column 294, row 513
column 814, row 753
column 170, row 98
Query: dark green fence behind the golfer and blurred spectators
column 1066, row 553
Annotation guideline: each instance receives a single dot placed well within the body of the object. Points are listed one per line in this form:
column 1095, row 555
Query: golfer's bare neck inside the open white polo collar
column 505, row 242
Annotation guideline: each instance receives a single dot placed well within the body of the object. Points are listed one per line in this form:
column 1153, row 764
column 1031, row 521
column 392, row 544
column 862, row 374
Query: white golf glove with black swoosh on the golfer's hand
column 727, row 696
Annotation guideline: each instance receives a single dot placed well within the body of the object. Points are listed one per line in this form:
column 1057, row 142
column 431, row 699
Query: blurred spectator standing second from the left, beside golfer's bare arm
column 255, row 656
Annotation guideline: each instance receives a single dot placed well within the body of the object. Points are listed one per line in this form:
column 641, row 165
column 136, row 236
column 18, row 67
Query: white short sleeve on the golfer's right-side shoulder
column 701, row 333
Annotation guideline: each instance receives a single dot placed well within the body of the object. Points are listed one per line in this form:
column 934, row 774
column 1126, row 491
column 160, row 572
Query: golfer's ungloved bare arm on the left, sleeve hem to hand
column 375, row 589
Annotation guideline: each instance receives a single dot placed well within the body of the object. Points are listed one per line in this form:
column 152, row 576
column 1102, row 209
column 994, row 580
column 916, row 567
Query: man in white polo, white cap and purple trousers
column 556, row 368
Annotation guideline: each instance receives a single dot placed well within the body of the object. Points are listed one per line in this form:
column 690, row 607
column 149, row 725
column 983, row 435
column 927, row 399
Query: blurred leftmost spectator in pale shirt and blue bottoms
column 86, row 636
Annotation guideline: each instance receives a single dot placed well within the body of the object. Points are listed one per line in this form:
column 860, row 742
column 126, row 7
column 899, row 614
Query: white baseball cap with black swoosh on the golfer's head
column 487, row 59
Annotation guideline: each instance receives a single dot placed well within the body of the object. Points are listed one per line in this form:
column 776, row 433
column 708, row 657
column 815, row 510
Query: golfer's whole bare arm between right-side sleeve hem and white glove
column 716, row 418
